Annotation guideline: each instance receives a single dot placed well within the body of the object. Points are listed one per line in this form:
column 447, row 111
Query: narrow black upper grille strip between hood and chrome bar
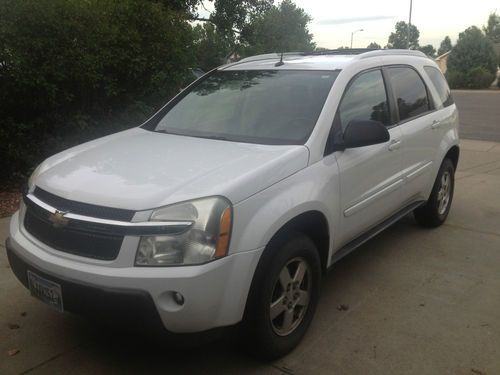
column 85, row 209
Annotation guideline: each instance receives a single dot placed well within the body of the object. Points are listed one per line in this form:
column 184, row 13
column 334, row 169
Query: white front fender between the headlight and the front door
column 258, row 218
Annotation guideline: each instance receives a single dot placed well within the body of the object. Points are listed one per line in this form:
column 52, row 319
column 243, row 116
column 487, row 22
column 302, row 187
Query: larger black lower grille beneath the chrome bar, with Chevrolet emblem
column 77, row 237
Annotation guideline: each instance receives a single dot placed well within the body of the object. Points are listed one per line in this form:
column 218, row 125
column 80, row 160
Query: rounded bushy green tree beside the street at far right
column 472, row 62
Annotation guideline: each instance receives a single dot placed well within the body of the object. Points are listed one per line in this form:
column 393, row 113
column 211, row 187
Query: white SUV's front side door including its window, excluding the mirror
column 370, row 177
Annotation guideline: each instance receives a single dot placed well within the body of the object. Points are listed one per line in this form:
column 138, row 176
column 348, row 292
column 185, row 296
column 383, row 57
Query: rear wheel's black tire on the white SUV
column 433, row 214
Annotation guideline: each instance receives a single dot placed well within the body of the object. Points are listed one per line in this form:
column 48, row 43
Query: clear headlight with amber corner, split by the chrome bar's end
column 205, row 240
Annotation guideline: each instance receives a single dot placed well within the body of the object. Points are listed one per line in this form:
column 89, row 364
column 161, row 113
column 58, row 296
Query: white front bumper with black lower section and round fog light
column 214, row 293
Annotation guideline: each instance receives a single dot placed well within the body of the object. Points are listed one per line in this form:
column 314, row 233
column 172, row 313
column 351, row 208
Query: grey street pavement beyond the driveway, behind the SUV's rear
column 479, row 114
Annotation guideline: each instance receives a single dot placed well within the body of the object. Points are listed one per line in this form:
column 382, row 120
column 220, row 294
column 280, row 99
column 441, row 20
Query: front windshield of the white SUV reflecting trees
column 257, row 106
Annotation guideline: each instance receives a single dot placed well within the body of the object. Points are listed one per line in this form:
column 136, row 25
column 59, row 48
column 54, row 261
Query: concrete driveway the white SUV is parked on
column 419, row 302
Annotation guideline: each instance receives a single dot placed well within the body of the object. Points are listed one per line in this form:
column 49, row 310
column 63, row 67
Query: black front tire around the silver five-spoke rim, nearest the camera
column 264, row 336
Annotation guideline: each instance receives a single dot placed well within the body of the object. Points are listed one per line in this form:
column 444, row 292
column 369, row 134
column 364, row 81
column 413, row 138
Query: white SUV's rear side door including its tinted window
column 419, row 124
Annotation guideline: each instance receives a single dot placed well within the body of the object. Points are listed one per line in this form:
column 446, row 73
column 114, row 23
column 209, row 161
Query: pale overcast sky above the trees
column 334, row 21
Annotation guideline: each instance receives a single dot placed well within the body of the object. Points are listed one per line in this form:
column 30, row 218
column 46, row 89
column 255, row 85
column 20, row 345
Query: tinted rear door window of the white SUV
column 410, row 91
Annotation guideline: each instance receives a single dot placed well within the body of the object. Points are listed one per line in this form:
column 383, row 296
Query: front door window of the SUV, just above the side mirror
column 365, row 99
